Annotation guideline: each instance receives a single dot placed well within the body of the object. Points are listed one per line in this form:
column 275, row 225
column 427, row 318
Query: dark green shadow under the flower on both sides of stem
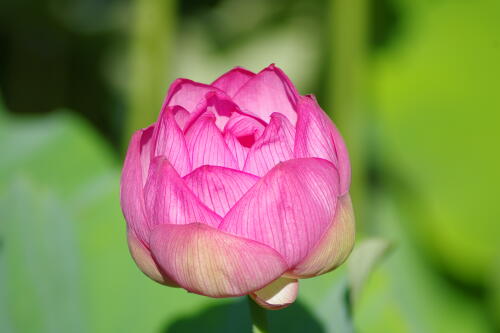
column 235, row 317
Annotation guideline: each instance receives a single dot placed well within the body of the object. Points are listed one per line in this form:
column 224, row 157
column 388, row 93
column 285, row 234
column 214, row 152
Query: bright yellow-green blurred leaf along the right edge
column 437, row 100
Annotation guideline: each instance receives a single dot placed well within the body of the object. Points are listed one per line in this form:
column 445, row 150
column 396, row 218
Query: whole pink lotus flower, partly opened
column 241, row 187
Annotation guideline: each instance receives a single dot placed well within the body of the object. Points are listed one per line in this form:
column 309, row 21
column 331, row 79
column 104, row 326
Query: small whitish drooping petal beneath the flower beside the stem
column 278, row 294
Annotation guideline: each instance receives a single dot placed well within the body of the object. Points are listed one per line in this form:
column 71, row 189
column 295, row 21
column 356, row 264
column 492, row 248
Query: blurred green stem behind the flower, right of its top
column 348, row 98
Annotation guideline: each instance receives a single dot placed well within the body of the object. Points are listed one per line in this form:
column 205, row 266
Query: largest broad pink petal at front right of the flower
column 288, row 209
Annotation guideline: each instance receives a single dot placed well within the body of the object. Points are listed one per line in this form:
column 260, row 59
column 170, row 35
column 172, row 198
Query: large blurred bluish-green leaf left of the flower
column 64, row 262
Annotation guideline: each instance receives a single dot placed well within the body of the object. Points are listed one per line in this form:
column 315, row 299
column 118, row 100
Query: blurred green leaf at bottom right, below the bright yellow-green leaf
column 406, row 294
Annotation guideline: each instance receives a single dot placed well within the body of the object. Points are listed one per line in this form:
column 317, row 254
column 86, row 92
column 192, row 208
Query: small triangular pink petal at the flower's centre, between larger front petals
column 219, row 188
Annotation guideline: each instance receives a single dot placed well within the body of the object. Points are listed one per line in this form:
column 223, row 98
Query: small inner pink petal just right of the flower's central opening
column 274, row 146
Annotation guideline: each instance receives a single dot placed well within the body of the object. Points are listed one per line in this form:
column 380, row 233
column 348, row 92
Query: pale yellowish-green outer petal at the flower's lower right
column 335, row 245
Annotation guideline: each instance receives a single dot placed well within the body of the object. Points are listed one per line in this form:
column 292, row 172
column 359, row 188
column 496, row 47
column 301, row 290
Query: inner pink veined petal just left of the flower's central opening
column 206, row 145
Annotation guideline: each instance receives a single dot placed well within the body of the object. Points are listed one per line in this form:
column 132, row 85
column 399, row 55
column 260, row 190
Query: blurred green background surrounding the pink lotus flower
column 414, row 86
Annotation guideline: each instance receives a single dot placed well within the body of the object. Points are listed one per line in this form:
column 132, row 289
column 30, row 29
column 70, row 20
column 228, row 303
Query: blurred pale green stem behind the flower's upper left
column 152, row 33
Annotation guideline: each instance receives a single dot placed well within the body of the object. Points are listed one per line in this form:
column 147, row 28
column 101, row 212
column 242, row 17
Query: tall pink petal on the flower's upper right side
column 317, row 136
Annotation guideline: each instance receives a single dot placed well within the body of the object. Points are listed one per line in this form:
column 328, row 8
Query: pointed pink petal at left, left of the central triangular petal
column 169, row 199
